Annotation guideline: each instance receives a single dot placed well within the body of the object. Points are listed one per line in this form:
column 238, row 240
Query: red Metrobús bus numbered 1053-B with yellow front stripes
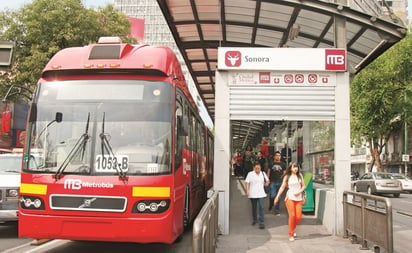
column 124, row 153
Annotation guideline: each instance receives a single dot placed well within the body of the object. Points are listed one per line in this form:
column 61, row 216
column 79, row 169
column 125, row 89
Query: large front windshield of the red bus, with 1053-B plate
column 101, row 127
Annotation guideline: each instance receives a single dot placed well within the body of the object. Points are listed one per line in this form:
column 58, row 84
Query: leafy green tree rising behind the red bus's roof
column 43, row 27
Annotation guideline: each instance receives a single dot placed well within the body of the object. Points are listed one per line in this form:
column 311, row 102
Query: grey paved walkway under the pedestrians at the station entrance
column 312, row 237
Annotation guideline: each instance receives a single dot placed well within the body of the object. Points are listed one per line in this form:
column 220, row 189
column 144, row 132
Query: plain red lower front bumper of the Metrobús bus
column 98, row 228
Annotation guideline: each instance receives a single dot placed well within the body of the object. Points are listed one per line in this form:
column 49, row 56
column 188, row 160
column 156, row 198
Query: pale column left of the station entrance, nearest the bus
column 221, row 177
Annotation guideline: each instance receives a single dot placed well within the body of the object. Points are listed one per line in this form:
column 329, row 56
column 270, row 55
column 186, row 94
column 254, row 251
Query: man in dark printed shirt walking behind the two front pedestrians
column 275, row 173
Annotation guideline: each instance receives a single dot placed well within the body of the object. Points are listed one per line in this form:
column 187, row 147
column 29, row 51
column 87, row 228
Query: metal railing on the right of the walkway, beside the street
column 369, row 218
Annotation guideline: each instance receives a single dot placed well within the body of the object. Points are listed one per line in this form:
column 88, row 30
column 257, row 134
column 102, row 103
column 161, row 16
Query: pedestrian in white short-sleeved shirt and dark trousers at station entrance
column 255, row 182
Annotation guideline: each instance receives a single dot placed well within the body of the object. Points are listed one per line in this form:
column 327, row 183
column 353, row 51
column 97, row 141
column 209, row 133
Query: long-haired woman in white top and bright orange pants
column 293, row 180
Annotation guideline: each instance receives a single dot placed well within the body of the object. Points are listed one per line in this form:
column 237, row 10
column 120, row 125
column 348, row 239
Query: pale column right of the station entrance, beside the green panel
column 342, row 146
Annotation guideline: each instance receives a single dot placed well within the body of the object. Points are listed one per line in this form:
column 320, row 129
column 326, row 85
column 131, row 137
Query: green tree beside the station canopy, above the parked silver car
column 380, row 98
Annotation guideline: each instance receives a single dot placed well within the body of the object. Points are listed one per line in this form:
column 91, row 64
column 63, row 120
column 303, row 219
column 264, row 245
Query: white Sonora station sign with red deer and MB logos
column 282, row 59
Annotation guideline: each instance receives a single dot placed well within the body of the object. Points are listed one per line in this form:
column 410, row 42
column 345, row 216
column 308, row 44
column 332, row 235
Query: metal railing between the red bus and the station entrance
column 205, row 227
